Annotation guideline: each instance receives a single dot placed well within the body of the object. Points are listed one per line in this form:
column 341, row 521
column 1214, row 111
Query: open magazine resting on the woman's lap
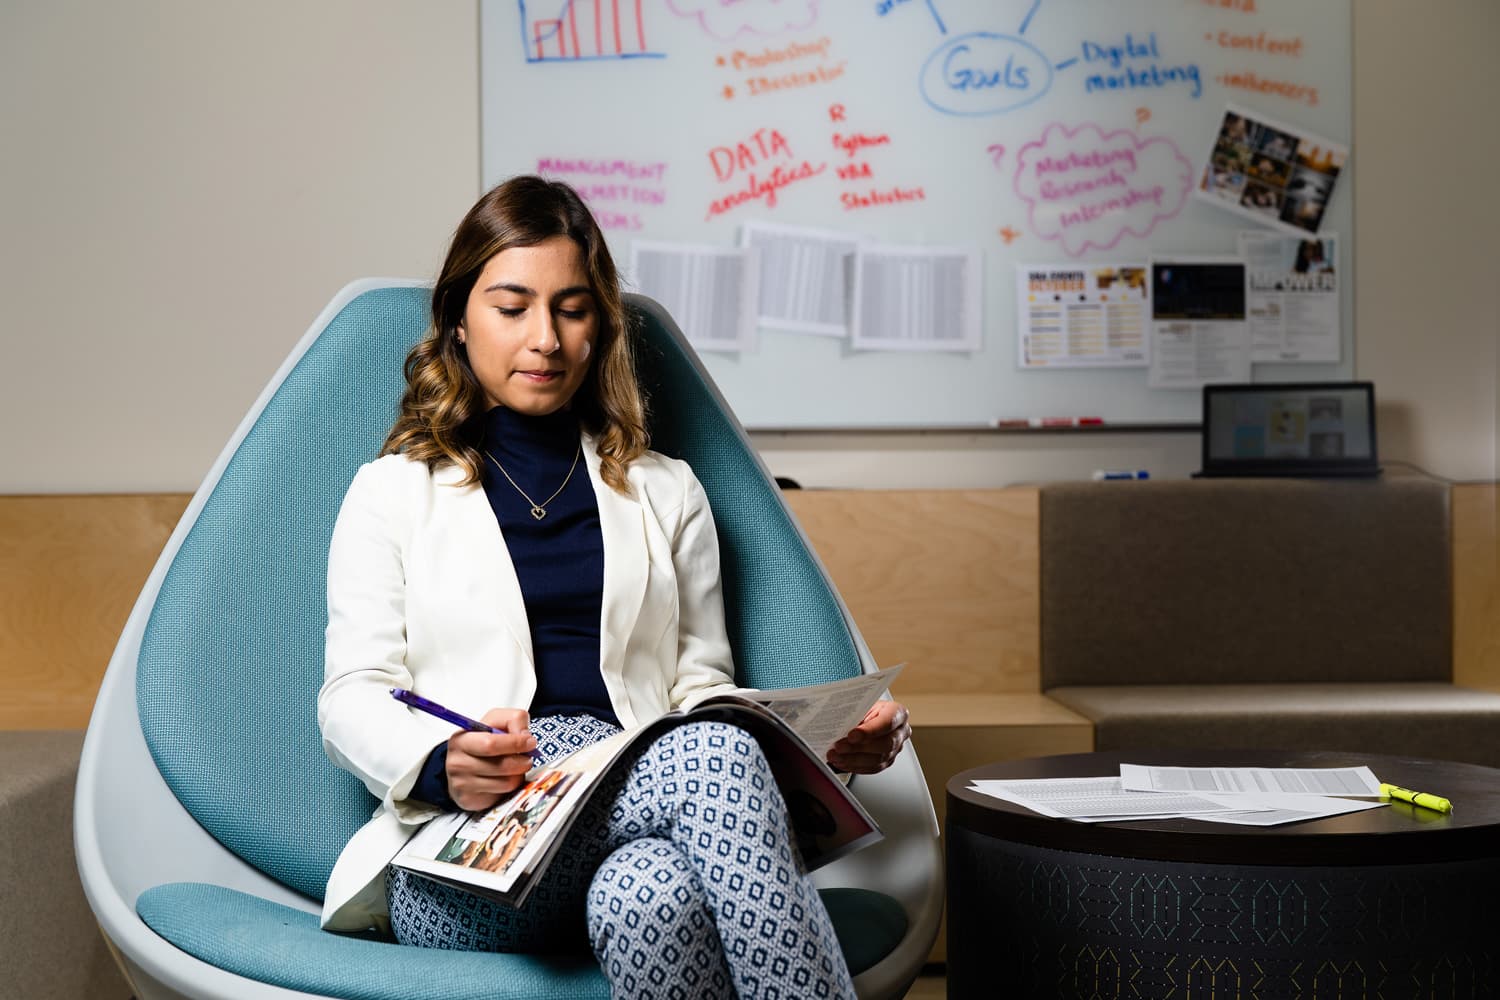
column 502, row 852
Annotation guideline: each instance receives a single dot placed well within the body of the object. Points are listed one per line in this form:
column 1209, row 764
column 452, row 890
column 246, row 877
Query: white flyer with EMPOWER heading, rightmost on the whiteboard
column 1294, row 298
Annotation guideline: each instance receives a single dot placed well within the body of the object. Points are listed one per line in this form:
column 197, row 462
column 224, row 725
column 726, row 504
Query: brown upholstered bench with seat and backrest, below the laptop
column 1259, row 614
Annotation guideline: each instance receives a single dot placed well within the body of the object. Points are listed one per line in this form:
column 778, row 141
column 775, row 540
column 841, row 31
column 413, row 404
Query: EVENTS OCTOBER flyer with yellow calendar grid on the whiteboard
column 1082, row 316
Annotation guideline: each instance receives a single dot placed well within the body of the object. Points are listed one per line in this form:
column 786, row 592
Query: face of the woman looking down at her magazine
column 530, row 326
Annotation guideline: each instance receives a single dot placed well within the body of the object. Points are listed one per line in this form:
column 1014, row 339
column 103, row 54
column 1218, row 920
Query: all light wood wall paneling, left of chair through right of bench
column 941, row 579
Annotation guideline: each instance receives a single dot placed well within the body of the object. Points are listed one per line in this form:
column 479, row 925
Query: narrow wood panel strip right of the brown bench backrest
column 1477, row 585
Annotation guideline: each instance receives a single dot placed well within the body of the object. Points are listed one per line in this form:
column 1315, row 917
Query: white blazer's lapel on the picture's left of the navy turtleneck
column 479, row 545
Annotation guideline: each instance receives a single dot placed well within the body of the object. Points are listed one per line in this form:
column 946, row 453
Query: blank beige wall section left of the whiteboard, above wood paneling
column 185, row 185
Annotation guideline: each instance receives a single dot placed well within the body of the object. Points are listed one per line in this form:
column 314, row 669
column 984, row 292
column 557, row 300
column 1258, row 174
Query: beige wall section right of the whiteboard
column 1427, row 227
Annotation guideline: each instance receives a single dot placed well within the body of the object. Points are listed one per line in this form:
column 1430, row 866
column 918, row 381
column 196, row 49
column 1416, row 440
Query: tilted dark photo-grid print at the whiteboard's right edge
column 1271, row 173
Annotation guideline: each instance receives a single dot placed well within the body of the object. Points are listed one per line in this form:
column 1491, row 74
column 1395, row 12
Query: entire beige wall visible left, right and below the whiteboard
column 187, row 185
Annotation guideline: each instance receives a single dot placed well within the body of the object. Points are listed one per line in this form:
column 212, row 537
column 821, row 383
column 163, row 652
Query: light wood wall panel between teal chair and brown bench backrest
column 944, row 581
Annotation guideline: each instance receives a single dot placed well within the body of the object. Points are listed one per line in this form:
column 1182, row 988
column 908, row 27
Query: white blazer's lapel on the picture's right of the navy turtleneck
column 622, row 522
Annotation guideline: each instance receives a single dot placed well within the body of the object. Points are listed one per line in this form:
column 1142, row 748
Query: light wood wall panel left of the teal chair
column 71, row 569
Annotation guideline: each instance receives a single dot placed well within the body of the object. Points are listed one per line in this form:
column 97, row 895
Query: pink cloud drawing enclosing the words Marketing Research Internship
column 1088, row 188
